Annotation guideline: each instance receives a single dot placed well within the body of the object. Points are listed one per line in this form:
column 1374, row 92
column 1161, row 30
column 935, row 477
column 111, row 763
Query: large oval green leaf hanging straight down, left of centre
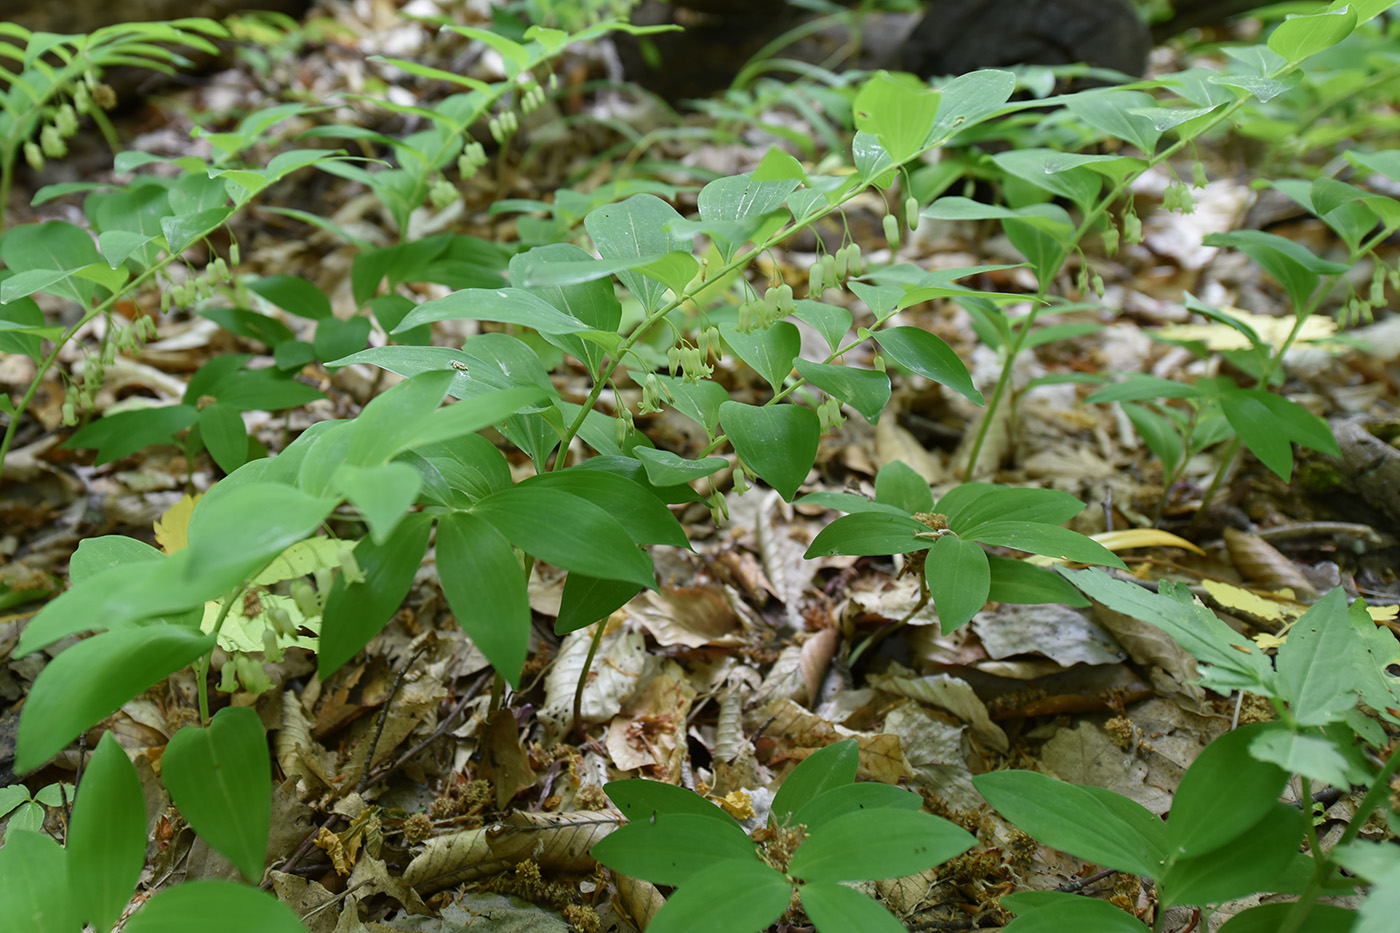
column 485, row 586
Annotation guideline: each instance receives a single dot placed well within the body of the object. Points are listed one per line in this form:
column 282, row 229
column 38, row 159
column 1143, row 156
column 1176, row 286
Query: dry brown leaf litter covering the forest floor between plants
column 414, row 806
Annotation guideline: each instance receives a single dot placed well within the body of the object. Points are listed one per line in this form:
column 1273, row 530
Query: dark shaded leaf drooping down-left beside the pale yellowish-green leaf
column 355, row 613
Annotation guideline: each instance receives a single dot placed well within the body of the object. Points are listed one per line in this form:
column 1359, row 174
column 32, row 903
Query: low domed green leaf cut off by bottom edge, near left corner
column 215, row 907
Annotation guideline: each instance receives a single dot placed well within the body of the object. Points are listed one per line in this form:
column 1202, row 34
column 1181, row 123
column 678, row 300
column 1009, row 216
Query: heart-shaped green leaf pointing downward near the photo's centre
column 776, row 442
